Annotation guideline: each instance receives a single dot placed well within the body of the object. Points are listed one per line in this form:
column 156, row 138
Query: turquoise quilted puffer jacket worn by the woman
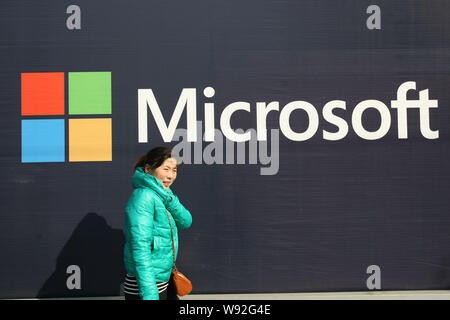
column 148, row 253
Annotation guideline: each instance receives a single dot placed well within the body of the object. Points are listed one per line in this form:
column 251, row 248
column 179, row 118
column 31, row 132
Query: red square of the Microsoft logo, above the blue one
column 42, row 93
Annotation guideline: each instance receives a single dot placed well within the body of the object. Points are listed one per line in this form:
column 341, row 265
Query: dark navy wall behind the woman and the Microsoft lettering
column 332, row 209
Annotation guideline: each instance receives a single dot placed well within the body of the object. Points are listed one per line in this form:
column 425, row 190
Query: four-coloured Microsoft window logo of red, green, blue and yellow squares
column 45, row 132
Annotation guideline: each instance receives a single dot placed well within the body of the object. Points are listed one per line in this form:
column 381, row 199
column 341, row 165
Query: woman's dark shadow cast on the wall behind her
column 90, row 264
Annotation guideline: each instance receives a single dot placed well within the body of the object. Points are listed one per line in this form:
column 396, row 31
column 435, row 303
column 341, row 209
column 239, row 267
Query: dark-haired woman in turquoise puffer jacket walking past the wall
column 153, row 216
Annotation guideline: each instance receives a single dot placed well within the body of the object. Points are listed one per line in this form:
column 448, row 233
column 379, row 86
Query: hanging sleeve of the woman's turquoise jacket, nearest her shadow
column 140, row 212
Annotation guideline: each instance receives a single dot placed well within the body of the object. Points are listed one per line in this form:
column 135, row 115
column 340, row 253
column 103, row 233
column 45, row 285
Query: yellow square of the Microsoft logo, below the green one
column 90, row 140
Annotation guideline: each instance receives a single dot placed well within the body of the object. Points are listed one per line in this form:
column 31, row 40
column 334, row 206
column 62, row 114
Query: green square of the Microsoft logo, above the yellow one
column 89, row 92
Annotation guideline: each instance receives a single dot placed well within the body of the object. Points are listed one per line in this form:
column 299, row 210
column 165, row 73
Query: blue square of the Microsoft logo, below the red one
column 43, row 140
